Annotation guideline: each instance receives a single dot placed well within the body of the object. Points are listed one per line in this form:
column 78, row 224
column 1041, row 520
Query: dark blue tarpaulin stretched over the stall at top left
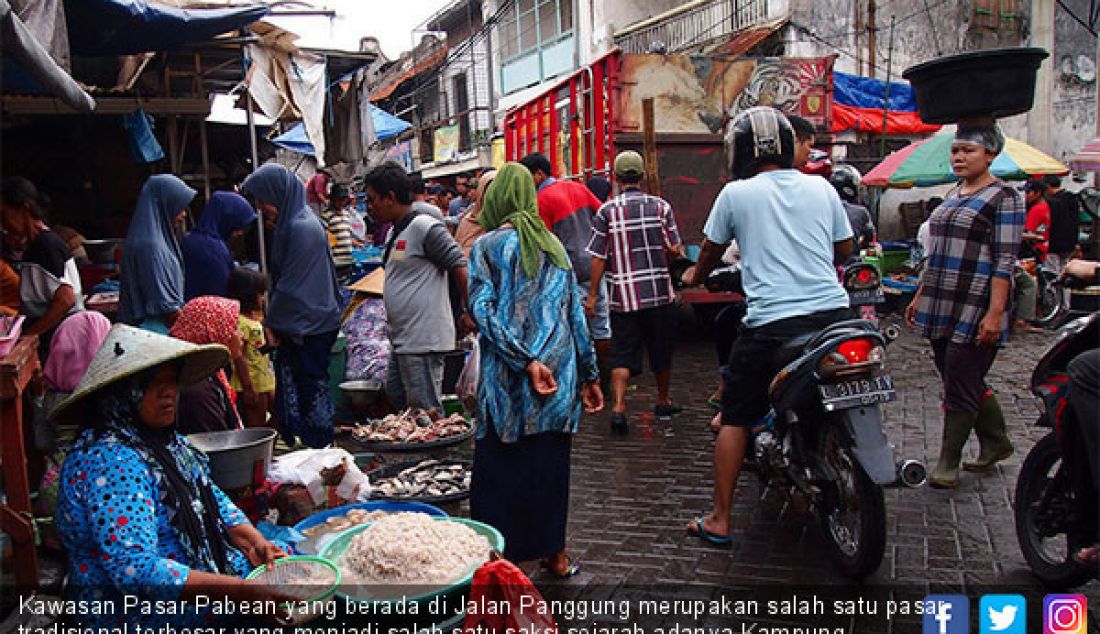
column 127, row 27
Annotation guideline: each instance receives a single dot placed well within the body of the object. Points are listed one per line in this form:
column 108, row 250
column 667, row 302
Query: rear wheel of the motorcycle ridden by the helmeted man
column 853, row 518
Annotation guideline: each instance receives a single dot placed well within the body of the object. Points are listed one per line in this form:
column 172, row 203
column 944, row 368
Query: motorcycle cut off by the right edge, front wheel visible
column 1049, row 517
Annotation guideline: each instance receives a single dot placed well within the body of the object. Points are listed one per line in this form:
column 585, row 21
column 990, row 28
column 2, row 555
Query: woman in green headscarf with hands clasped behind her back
column 536, row 360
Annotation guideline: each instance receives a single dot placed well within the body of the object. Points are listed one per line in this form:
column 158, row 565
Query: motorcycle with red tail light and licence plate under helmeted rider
column 824, row 434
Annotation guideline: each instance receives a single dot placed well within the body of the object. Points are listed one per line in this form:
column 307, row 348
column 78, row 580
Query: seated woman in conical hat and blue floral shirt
column 138, row 512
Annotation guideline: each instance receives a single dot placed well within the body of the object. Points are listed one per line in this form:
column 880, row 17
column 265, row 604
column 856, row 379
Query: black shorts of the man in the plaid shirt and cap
column 651, row 330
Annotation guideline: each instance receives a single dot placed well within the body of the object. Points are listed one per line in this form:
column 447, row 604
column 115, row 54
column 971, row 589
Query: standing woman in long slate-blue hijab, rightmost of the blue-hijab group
column 304, row 312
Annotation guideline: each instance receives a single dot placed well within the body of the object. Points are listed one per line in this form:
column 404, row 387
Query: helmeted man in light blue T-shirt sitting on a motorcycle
column 793, row 233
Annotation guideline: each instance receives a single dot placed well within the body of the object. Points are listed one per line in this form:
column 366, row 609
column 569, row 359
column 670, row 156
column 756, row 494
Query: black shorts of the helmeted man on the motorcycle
column 753, row 364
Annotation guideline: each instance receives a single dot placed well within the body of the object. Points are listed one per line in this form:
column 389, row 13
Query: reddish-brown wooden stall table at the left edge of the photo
column 17, row 371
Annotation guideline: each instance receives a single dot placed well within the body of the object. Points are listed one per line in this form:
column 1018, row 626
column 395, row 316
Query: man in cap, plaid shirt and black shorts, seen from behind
column 633, row 238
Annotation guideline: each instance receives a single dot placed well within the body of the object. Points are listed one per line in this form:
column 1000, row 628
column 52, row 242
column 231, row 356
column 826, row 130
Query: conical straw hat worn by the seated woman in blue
column 128, row 352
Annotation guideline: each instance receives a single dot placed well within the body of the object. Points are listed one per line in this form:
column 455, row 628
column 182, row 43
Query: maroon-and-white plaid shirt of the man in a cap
column 632, row 233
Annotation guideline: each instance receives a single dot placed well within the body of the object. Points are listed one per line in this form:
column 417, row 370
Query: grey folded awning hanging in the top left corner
column 31, row 58
